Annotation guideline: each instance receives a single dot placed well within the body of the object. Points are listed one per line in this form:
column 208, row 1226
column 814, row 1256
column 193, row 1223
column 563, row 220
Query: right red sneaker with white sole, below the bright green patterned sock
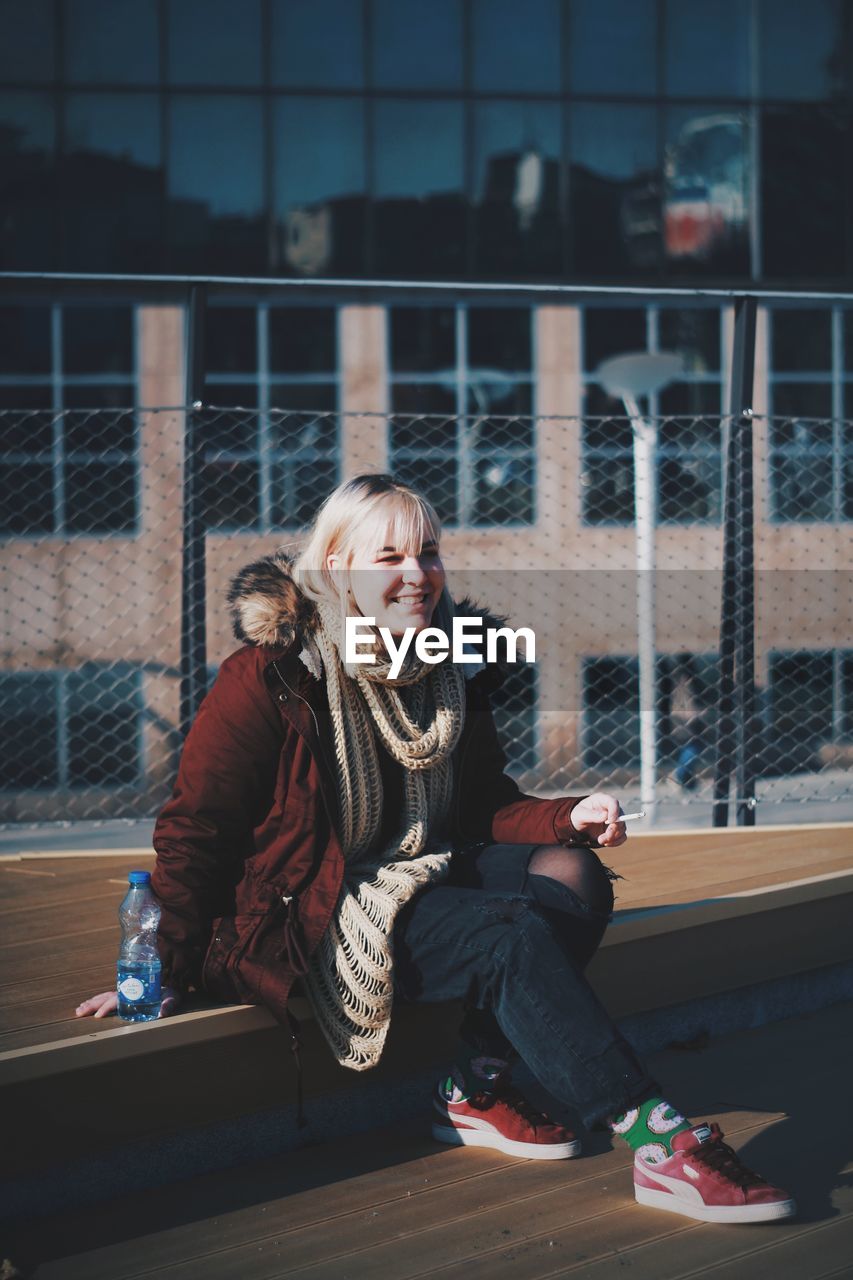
column 704, row 1178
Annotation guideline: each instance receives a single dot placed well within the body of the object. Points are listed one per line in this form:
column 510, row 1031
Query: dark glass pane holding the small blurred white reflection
column 518, row 149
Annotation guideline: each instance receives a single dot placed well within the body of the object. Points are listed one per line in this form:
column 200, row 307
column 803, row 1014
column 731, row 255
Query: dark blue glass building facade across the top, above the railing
column 578, row 140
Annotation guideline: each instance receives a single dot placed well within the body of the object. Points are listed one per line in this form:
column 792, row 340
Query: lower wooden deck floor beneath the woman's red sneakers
column 396, row 1205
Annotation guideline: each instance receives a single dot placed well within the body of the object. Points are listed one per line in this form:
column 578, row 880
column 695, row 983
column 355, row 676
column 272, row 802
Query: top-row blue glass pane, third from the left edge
column 215, row 43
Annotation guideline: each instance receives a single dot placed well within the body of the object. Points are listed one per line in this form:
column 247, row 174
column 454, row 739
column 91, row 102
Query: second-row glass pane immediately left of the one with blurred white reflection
column 419, row 214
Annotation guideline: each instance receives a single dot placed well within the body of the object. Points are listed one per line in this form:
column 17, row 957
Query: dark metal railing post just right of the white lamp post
column 738, row 614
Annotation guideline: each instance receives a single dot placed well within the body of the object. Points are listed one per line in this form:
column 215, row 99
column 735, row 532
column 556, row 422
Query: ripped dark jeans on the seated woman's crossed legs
column 514, row 947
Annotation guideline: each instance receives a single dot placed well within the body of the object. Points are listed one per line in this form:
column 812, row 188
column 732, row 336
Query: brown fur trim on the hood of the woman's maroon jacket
column 270, row 611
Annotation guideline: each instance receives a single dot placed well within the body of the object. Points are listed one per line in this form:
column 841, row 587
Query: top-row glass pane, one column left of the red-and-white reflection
column 613, row 47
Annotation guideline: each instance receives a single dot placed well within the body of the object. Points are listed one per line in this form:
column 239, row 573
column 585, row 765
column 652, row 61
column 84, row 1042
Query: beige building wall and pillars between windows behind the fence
column 117, row 598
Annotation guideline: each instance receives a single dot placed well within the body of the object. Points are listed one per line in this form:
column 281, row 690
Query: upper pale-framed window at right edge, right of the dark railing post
column 811, row 444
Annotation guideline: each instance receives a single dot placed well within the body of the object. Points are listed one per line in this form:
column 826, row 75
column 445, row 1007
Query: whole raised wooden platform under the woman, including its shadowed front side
column 699, row 915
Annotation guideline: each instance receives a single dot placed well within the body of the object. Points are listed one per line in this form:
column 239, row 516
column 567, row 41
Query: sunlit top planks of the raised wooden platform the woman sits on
column 60, row 931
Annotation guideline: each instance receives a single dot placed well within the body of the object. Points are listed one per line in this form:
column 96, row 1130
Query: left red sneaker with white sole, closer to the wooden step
column 505, row 1121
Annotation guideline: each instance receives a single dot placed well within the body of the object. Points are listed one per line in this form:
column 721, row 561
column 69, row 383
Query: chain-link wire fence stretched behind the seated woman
column 541, row 519
